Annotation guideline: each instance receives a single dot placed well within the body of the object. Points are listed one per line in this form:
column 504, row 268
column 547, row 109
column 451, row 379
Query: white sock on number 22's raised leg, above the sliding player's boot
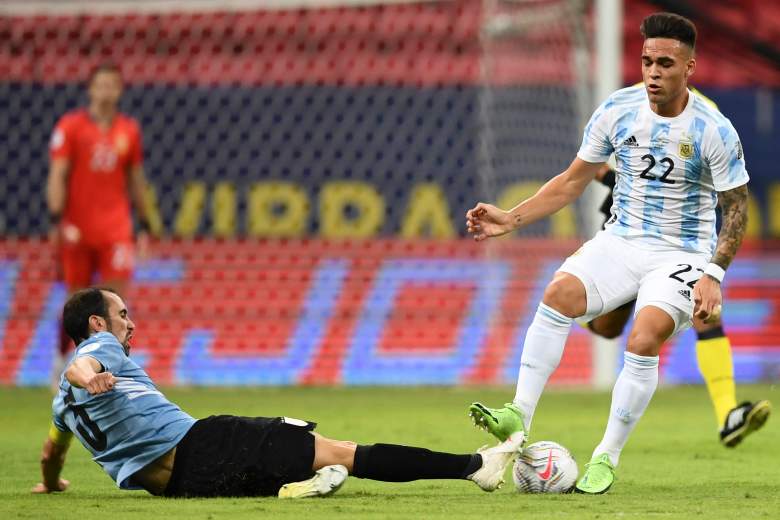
column 542, row 353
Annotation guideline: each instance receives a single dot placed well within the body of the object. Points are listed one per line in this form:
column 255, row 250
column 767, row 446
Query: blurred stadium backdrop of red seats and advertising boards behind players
column 310, row 169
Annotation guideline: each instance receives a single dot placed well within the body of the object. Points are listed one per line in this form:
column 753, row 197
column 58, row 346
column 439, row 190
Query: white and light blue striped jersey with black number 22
column 669, row 169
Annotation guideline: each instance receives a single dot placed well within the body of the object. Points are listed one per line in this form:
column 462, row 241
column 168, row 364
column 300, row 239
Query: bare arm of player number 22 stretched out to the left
column 485, row 220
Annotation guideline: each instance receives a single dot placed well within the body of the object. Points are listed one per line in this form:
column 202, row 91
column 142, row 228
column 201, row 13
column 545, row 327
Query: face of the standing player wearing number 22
column 666, row 66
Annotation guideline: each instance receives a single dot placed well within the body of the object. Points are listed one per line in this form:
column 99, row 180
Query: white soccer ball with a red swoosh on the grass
column 545, row 467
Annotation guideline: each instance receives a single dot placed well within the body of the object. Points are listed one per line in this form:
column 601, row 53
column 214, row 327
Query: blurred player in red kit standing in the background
column 95, row 176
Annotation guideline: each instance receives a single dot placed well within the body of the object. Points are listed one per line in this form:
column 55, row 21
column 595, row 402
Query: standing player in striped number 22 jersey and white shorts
column 677, row 157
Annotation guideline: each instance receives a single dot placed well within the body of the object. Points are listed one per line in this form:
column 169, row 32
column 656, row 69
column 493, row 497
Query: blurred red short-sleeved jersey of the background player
column 98, row 199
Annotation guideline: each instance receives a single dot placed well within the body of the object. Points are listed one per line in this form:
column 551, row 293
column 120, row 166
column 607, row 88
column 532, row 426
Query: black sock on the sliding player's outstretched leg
column 395, row 463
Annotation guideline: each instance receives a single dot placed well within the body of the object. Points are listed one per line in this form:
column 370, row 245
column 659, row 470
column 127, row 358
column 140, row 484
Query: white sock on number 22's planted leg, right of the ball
column 632, row 393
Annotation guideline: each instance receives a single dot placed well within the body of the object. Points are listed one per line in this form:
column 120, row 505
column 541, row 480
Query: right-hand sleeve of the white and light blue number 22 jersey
column 726, row 160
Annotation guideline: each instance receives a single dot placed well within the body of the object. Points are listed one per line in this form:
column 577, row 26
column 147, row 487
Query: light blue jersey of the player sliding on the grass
column 127, row 427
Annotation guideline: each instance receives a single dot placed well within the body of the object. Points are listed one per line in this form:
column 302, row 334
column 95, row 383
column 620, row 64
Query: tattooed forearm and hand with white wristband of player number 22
column 706, row 292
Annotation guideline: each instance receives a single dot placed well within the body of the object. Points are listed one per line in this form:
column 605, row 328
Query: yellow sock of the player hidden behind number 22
column 717, row 369
